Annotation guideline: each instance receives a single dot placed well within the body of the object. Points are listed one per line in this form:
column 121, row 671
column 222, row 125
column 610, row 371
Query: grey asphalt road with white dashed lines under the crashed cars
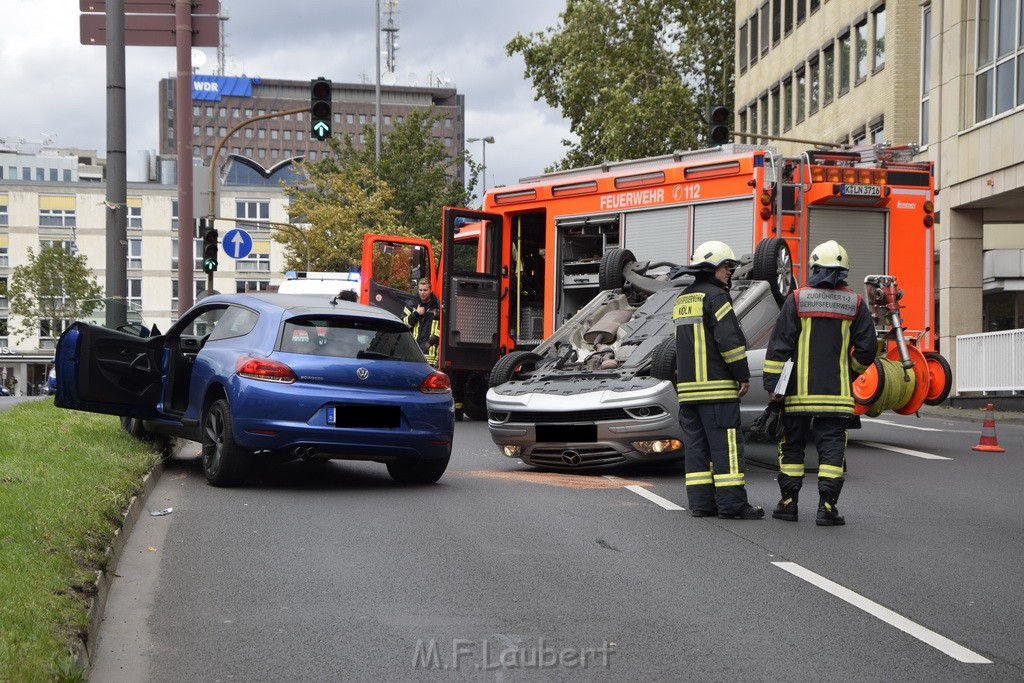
column 331, row 572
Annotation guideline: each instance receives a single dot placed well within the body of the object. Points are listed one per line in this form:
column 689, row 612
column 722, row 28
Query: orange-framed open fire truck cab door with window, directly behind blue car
column 392, row 267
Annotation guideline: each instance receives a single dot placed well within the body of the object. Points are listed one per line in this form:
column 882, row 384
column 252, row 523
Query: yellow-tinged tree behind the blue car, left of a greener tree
column 339, row 206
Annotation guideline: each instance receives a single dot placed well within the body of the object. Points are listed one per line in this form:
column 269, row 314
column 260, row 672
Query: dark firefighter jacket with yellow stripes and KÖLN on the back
column 711, row 350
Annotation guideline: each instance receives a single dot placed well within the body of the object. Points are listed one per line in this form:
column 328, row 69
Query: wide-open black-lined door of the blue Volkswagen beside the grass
column 104, row 371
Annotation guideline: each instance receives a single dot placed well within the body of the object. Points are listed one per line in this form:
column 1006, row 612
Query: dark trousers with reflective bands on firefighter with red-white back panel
column 830, row 435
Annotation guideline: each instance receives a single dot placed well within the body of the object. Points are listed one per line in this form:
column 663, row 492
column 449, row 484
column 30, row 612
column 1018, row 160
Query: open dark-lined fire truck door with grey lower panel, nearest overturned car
column 472, row 293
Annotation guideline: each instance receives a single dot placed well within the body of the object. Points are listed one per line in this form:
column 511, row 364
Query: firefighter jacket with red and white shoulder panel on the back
column 818, row 330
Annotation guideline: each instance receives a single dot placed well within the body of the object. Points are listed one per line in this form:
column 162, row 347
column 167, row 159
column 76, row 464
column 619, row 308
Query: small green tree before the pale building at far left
column 52, row 288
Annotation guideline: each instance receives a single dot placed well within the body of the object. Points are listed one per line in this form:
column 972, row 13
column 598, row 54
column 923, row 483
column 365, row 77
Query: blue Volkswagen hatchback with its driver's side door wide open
column 272, row 377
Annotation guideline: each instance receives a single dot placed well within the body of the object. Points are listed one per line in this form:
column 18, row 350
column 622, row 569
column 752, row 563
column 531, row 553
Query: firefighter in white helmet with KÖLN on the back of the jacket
column 712, row 375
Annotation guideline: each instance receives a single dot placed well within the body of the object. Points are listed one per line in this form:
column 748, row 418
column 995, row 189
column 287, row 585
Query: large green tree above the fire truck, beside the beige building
column 633, row 77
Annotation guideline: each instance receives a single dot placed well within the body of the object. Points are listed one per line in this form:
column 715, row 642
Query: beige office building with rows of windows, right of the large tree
column 947, row 76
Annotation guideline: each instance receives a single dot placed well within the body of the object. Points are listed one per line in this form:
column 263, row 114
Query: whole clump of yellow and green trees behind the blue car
column 347, row 197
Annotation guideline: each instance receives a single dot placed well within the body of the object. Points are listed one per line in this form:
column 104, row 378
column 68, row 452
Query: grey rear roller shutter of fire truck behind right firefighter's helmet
column 863, row 234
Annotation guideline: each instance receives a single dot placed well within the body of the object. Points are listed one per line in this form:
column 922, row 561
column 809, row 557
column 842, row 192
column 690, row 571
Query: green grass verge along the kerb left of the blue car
column 66, row 480
